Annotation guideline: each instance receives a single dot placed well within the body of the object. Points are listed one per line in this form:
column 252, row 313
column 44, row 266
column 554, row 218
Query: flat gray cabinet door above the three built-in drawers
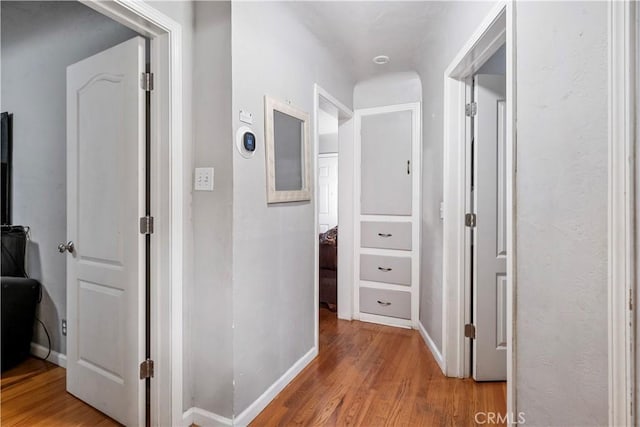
column 386, row 169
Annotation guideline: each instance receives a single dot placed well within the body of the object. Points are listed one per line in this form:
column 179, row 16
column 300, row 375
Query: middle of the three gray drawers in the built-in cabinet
column 387, row 269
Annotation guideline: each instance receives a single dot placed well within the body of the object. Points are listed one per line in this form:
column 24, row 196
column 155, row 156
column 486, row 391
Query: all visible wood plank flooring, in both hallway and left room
column 365, row 375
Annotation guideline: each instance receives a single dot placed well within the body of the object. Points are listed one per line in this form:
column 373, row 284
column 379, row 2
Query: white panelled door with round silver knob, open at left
column 105, row 198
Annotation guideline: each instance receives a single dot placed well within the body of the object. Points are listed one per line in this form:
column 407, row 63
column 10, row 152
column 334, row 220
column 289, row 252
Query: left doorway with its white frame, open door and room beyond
column 104, row 255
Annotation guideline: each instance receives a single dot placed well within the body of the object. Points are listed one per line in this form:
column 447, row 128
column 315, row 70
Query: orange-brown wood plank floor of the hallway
column 372, row 375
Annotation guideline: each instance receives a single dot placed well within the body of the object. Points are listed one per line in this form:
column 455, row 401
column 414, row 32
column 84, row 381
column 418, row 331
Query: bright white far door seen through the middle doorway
column 327, row 191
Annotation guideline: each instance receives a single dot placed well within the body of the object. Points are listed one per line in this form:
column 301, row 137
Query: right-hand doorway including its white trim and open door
column 479, row 177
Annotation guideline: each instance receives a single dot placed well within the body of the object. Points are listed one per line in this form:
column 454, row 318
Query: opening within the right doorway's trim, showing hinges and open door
column 486, row 208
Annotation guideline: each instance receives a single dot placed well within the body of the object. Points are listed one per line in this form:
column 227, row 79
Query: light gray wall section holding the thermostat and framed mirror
column 273, row 250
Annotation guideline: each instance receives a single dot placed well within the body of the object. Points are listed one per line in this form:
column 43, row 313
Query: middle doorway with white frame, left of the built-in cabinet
column 333, row 160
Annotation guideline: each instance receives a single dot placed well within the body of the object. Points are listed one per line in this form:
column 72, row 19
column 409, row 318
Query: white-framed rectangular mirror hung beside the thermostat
column 288, row 153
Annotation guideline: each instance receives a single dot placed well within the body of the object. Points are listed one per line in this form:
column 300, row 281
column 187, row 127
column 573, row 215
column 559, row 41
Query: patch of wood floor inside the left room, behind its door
column 34, row 394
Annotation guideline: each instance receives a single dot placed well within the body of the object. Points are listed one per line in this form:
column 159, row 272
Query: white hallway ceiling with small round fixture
column 356, row 31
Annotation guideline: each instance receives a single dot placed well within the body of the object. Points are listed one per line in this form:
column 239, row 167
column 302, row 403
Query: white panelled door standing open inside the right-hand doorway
column 490, row 239
